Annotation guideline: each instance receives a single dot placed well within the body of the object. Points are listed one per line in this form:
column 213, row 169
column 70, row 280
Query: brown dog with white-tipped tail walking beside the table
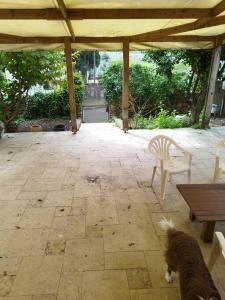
column 184, row 255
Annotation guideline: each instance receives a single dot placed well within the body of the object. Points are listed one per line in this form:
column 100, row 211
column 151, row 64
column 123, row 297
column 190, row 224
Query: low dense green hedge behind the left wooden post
column 54, row 104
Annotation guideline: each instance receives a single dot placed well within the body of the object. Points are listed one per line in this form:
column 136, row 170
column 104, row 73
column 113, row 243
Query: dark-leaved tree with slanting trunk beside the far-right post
column 198, row 62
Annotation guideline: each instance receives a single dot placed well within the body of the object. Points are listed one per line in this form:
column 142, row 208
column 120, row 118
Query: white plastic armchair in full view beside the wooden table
column 160, row 146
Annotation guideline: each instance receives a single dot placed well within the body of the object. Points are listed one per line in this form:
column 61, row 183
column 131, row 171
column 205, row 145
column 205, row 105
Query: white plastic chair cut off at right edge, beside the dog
column 217, row 249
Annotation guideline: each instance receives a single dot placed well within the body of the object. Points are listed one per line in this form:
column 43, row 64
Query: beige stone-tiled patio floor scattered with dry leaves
column 78, row 219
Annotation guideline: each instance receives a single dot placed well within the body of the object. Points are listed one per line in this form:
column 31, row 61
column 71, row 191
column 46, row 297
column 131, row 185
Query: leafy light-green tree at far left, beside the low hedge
column 19, row 71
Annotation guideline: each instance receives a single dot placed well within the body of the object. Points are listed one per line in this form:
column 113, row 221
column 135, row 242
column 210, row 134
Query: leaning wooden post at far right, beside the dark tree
column 211, row 85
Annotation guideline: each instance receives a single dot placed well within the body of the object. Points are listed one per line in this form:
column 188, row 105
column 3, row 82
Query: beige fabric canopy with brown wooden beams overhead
column 102, row 25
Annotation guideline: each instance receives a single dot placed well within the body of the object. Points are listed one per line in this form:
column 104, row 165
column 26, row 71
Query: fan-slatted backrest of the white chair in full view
column 160, row 145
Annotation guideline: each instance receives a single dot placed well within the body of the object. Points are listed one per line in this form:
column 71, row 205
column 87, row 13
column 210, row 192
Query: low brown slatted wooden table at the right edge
column 207, row 205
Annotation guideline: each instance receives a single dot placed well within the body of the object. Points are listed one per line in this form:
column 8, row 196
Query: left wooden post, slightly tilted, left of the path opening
column 70, row 81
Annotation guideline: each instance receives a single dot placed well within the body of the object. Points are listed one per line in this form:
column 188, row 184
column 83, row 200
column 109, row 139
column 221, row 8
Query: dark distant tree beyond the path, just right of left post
column 85, row 62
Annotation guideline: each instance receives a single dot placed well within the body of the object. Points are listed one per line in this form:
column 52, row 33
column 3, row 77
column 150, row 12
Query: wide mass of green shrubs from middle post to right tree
column 147, row 89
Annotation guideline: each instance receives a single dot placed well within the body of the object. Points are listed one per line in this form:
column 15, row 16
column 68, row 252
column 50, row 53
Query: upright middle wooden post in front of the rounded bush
column 125, row 99
